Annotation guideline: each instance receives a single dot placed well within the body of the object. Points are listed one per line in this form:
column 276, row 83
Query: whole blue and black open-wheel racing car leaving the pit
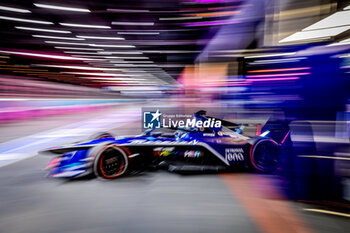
column 176, row 149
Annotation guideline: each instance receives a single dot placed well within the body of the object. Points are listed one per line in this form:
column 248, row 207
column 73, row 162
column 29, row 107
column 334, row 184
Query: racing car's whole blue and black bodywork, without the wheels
column 222, row 147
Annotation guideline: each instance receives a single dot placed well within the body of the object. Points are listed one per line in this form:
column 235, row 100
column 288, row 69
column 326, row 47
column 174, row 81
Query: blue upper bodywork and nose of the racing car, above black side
column 78, row 161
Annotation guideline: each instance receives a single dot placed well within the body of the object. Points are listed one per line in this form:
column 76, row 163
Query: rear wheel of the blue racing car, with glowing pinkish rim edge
column 265, row 155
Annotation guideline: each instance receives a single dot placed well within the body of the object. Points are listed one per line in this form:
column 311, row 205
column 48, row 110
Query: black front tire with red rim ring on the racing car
column 110, row 162
